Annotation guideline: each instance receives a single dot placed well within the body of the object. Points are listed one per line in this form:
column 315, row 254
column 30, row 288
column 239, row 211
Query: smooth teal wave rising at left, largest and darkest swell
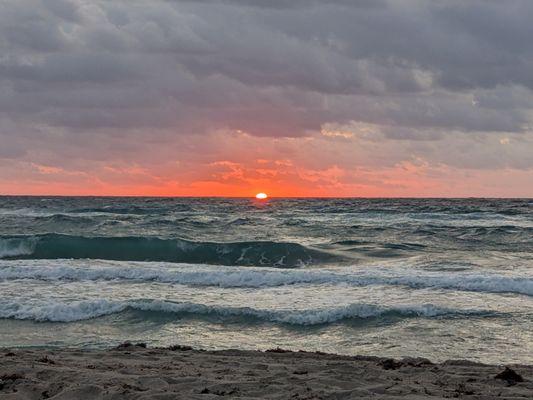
column 260, row 253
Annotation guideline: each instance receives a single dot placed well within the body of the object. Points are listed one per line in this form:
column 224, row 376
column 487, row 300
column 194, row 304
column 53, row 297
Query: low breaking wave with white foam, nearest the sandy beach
column 55, row 311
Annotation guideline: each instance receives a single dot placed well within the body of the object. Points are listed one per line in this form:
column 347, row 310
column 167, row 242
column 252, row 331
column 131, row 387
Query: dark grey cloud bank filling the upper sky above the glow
column 416, row 70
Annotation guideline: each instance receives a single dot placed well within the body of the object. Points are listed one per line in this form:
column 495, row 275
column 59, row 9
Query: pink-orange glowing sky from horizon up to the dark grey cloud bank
column 311, row 166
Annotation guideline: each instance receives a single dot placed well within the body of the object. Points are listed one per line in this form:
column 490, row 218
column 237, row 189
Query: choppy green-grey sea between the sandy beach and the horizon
column 435, row 278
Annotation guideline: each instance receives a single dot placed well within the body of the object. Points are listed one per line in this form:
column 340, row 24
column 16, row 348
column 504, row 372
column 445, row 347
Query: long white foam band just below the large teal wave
column 249, row 277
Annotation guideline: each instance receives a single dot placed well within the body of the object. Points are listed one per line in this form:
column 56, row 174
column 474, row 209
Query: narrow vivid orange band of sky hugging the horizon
column 277, row 178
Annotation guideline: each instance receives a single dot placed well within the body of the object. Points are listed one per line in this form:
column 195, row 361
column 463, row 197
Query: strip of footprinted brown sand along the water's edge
column 136, row 372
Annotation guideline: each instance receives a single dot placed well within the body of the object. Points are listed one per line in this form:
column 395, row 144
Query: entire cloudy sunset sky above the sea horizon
column 386, row 98
